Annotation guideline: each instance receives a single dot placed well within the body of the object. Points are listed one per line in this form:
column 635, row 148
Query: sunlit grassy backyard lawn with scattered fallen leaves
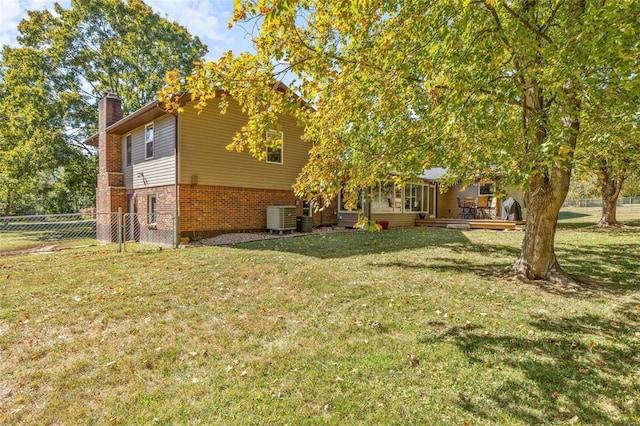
column 318, row 329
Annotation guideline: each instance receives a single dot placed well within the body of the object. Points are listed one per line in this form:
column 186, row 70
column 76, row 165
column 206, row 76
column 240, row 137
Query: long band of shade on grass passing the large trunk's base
column 615, row 267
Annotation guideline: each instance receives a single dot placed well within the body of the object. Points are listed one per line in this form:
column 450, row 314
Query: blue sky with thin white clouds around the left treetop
column 206, row 19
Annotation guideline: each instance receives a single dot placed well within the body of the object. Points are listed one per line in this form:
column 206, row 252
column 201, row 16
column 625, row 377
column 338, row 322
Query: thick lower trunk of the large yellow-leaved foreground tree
column 544, row 199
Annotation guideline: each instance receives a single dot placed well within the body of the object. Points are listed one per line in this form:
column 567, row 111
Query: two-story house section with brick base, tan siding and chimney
column 152, row 162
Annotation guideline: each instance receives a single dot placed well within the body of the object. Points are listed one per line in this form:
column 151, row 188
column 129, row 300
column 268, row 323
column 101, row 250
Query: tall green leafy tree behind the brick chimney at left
column 50, row 83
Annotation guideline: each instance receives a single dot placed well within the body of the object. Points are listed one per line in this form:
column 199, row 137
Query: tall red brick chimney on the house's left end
column 111, row 193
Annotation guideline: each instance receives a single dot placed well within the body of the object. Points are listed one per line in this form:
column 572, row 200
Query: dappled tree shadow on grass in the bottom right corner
column 582, row 367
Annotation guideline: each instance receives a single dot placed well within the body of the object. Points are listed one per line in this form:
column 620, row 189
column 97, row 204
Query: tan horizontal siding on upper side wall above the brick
column 202, row 144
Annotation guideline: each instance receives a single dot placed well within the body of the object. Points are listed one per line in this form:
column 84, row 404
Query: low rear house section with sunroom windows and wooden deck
column 401, row 207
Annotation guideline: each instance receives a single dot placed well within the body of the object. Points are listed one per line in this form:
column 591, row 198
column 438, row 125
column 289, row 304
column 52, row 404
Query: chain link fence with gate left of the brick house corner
column 128, row 232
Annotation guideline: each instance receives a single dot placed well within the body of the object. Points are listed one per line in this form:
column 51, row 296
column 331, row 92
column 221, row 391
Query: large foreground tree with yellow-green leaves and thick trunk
column 482, row 87
